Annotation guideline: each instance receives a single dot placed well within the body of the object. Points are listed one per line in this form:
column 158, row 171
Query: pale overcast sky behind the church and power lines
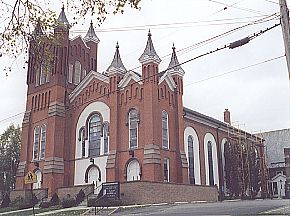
column 251, row 81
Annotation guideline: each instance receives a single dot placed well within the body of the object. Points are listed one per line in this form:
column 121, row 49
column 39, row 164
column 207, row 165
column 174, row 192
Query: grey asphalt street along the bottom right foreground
column 249, row 207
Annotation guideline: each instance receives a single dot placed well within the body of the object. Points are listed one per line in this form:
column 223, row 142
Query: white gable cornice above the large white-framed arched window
column 83, row 84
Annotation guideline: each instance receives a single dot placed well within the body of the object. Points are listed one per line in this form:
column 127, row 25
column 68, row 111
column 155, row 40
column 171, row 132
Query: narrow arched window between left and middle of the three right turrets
column 133, row 128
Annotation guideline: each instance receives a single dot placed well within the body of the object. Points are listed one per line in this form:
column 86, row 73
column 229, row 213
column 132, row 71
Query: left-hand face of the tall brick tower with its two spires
column 43, row 134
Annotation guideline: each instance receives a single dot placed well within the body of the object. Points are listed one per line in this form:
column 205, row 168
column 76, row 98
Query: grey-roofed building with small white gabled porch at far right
column 276, row 142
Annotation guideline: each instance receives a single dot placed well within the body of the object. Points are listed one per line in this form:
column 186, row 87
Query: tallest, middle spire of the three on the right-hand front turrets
column 149, row 54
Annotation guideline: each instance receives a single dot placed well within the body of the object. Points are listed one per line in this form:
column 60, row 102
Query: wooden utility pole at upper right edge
column 284, row 16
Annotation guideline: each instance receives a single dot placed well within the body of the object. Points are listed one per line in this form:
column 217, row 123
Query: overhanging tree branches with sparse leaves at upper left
column 19, row 19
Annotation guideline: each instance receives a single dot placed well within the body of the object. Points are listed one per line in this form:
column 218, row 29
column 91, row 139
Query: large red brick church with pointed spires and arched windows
column 82, row 126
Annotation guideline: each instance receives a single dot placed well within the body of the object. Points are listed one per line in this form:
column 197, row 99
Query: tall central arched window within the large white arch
column 95, row 135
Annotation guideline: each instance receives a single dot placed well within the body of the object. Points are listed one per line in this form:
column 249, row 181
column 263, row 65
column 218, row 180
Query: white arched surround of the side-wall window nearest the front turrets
column 189, row 131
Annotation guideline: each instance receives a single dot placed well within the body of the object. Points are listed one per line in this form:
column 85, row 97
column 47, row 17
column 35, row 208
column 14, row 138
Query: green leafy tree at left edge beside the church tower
column 9, row 157
